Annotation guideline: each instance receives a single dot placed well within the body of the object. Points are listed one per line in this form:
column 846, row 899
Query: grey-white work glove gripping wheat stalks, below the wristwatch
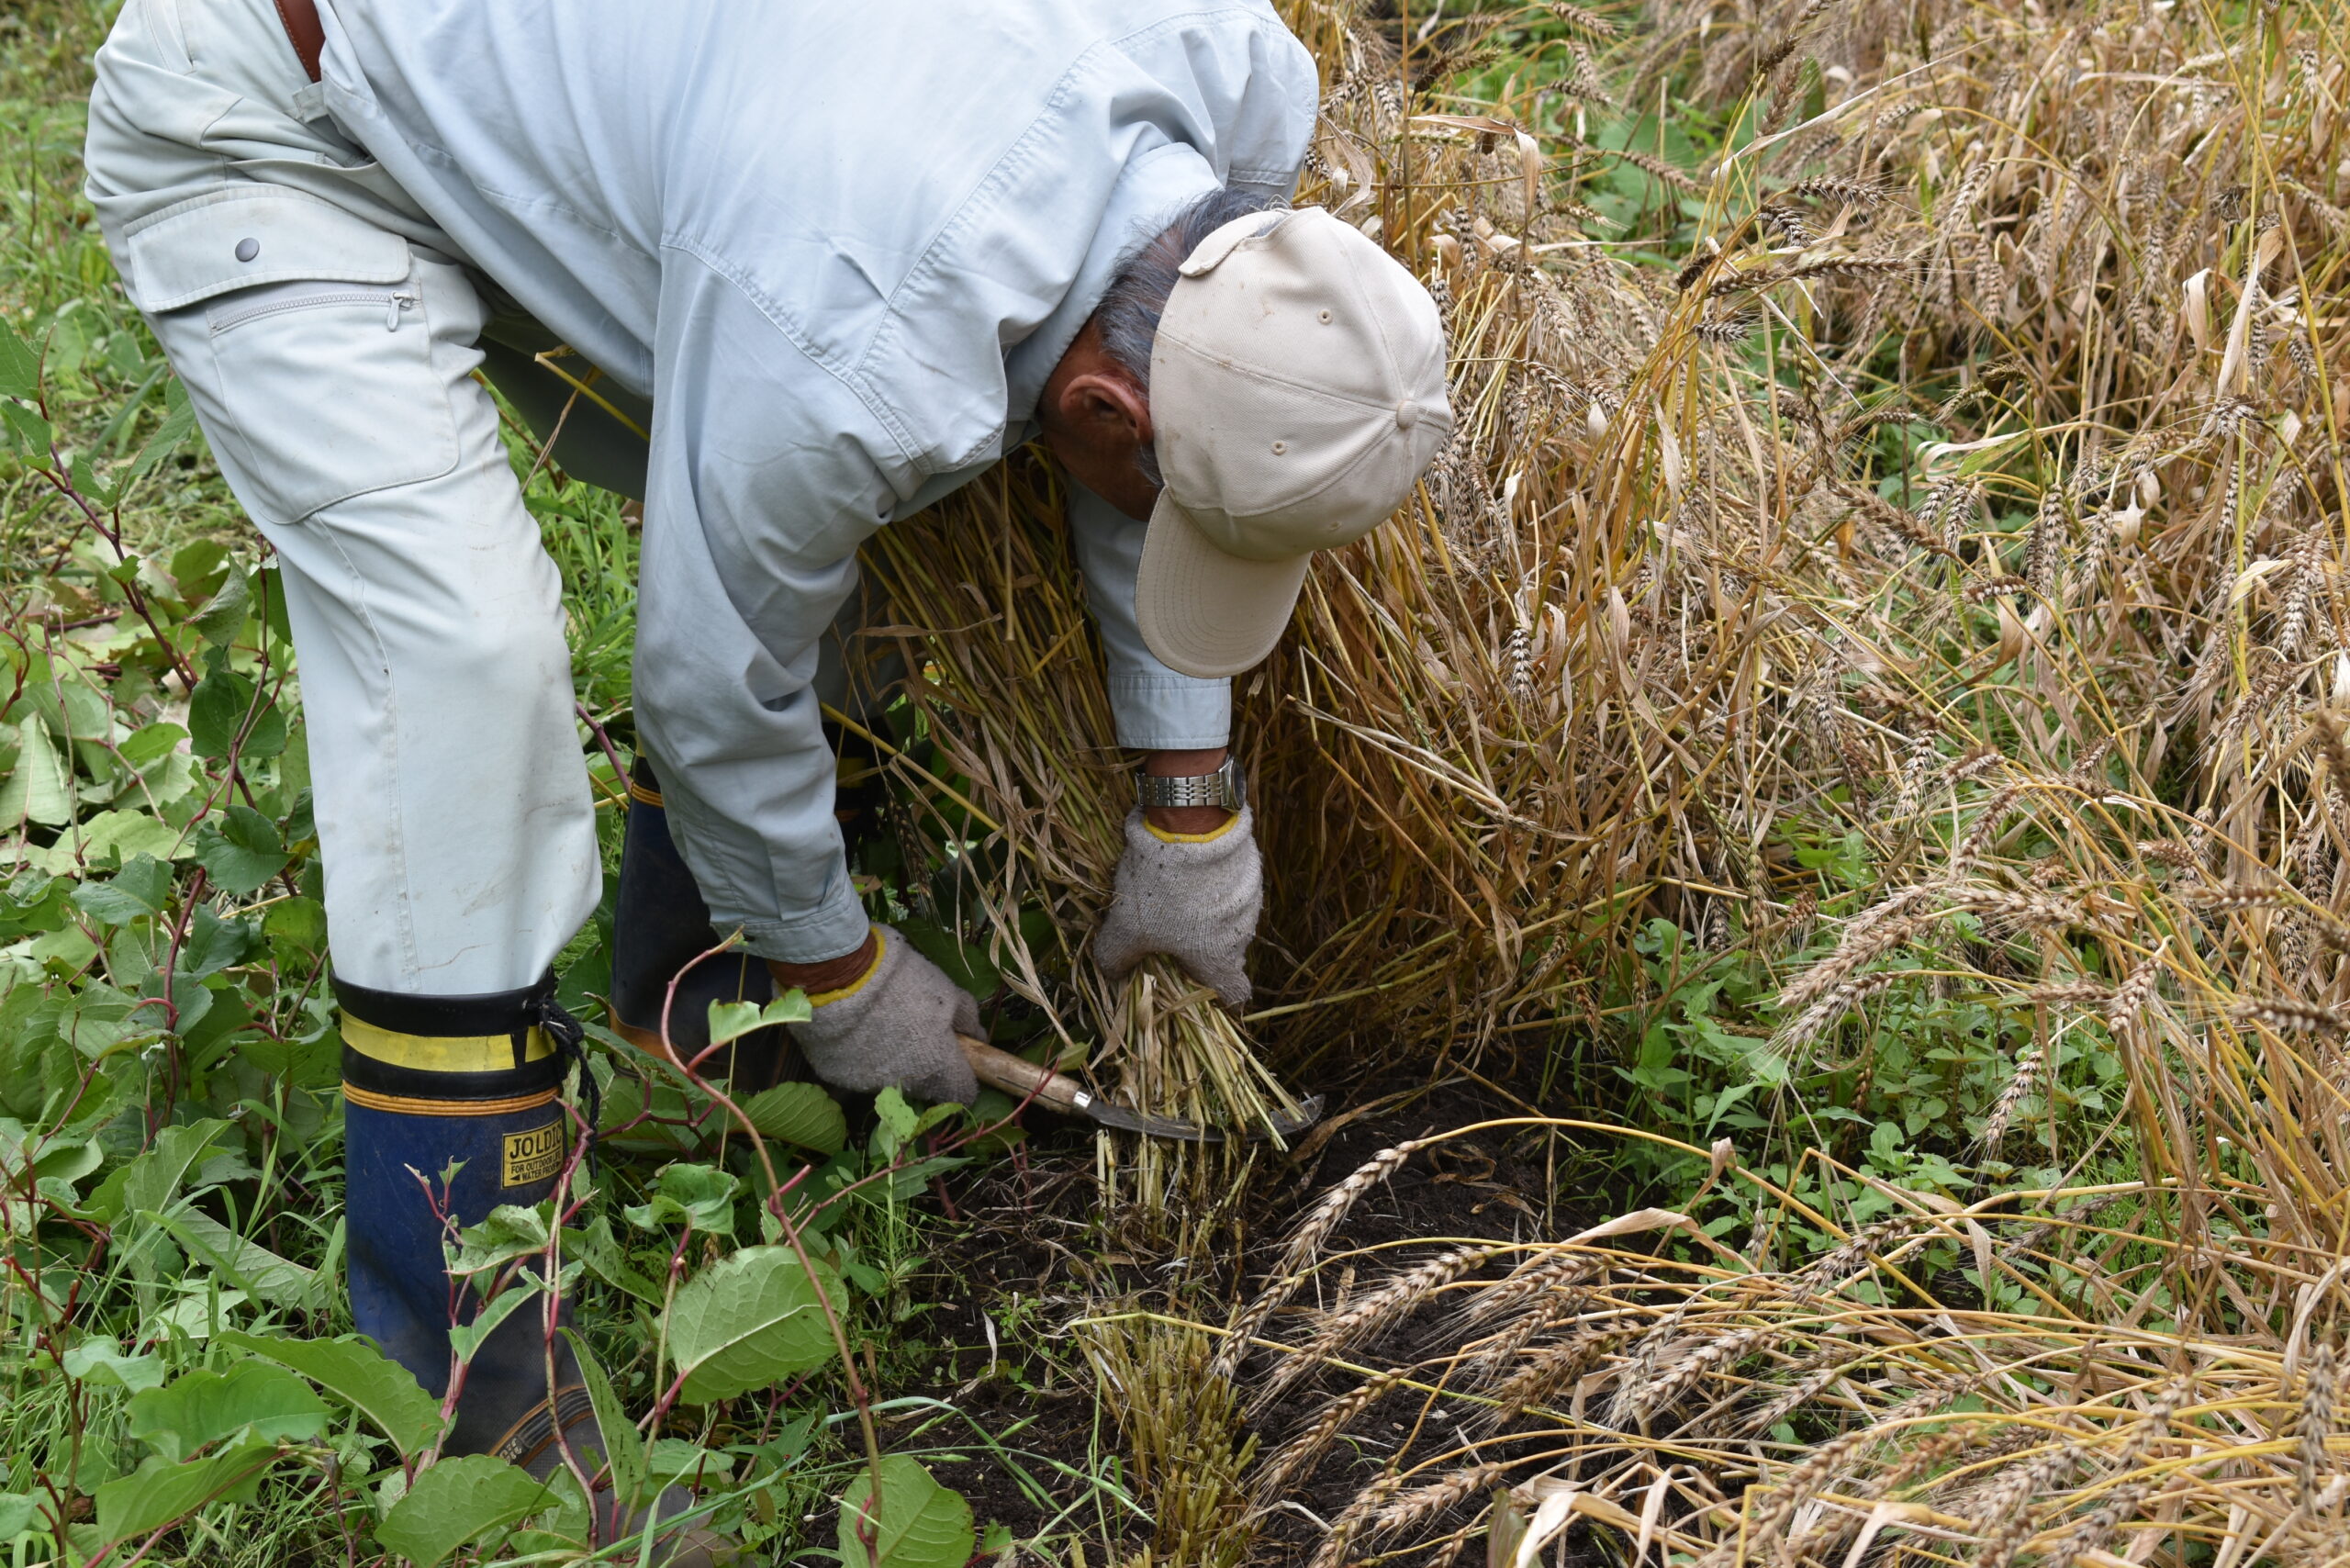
column 1195, row 899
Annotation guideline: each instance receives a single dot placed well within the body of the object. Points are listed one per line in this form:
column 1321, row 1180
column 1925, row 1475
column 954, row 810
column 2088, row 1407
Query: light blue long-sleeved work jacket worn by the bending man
column 840, row 246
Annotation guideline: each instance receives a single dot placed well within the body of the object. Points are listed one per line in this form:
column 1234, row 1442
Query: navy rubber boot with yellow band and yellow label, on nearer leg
column 476, row 1083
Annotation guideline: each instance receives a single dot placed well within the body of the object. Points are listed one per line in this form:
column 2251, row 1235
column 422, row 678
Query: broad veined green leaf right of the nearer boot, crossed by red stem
column 751, row 1320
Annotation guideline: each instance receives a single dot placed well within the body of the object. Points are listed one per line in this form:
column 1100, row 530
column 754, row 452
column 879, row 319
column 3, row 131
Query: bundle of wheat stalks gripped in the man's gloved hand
column 983, row 603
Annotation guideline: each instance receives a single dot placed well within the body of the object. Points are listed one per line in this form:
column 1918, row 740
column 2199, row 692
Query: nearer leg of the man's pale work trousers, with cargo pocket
column 330, row 349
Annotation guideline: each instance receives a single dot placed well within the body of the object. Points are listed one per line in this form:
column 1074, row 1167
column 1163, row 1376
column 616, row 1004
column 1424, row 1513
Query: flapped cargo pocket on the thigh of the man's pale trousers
column 307, row 344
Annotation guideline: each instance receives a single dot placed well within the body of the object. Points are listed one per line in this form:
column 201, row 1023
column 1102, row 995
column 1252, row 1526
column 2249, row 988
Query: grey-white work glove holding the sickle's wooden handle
column 897, row 1026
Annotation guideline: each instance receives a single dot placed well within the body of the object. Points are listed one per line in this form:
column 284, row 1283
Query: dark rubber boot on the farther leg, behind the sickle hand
column 659, row 927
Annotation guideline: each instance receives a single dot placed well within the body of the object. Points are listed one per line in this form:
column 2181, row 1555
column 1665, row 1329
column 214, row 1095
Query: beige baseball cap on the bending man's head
column 1298, row 394
